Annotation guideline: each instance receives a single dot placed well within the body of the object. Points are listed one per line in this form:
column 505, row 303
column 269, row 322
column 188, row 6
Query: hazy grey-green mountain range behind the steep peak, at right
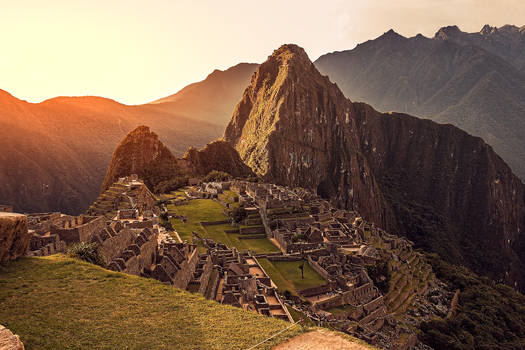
column 475, row 81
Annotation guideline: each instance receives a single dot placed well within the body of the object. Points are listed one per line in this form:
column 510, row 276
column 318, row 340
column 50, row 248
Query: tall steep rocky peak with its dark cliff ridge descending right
column 434, row 183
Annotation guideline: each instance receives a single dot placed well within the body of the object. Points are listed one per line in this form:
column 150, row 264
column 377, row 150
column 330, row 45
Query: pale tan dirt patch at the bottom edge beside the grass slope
column 319, row 339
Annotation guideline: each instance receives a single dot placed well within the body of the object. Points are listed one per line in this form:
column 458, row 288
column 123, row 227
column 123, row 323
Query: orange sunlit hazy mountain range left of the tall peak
column 55, row 153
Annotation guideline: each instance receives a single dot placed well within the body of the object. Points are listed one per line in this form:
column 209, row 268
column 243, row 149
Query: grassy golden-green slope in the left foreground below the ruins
column 60, row 303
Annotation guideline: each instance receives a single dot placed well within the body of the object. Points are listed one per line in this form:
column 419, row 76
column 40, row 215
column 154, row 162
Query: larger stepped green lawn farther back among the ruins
column 199, row 210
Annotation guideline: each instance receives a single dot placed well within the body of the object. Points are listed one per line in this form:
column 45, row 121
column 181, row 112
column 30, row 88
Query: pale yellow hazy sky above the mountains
column 138, row 51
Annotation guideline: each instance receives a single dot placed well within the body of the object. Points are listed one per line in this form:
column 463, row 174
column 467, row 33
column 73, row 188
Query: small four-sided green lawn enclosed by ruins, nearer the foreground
column 277, row 270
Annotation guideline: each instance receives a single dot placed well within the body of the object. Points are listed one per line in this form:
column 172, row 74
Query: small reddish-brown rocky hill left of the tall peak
column 142, row 153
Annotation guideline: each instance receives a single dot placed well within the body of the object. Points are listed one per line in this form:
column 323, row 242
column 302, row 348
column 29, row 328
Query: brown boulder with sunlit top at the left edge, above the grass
column 14, row 236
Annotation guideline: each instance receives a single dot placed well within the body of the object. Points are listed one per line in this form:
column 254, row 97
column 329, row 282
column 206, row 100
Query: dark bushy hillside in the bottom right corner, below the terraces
column 489, row 316
